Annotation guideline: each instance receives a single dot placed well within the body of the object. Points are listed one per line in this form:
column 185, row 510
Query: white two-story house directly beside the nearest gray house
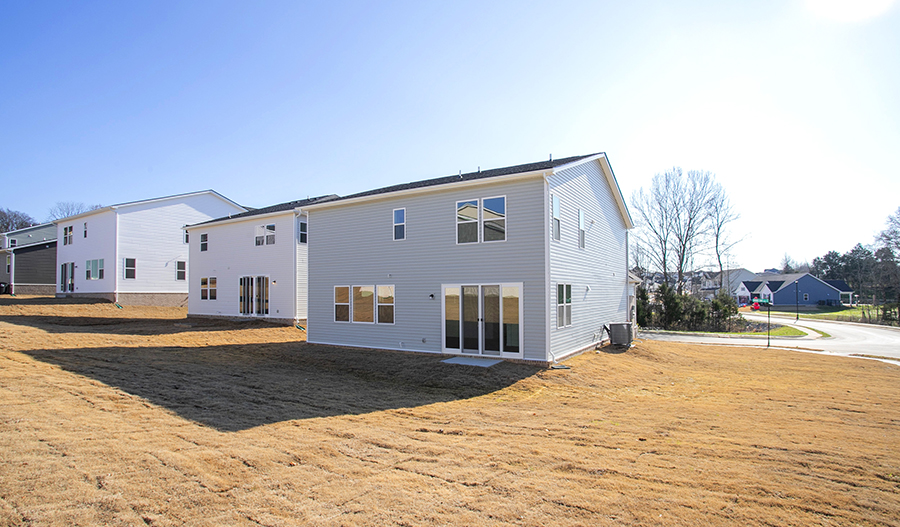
column 252, row 264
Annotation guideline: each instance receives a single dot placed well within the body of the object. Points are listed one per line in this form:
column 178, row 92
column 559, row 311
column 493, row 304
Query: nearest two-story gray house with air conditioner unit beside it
column 525, row 262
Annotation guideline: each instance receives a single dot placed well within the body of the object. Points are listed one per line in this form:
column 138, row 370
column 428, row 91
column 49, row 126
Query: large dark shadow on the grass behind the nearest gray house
column 237, row 387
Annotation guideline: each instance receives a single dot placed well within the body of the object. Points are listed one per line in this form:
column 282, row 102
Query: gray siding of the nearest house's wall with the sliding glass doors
column 420, row 265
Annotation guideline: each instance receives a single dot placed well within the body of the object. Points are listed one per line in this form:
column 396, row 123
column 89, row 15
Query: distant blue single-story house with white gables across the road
column 790, row 289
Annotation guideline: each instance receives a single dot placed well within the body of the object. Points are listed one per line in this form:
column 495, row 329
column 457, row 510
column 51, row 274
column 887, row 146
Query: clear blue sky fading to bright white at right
column 793, row 105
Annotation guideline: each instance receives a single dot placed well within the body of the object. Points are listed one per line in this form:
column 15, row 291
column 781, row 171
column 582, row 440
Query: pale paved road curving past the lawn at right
column 846, row 339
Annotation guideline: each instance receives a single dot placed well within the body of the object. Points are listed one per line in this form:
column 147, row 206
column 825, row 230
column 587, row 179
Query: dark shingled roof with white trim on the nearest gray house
column 528, row 169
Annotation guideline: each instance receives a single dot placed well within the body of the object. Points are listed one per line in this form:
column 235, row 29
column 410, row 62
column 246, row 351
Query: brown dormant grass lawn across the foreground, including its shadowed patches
column 130, row 417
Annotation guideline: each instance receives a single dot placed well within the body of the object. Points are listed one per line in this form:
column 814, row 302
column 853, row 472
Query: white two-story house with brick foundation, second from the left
column 133, row 253
